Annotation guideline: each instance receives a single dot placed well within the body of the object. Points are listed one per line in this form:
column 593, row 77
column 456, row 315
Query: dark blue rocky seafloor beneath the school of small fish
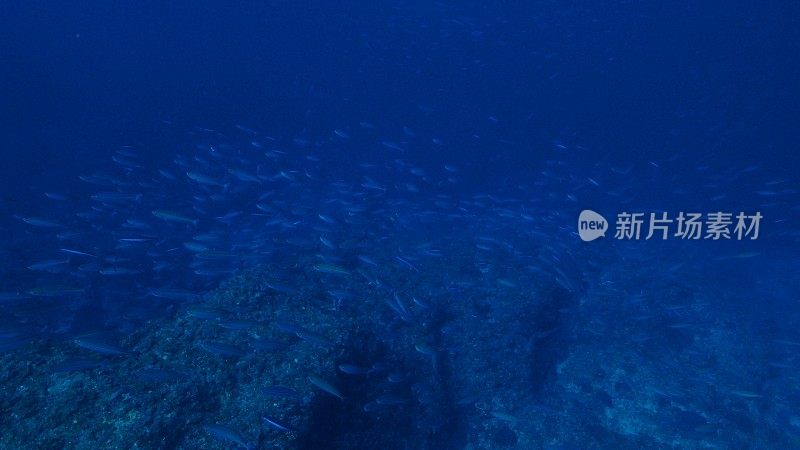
column 475, row 347
